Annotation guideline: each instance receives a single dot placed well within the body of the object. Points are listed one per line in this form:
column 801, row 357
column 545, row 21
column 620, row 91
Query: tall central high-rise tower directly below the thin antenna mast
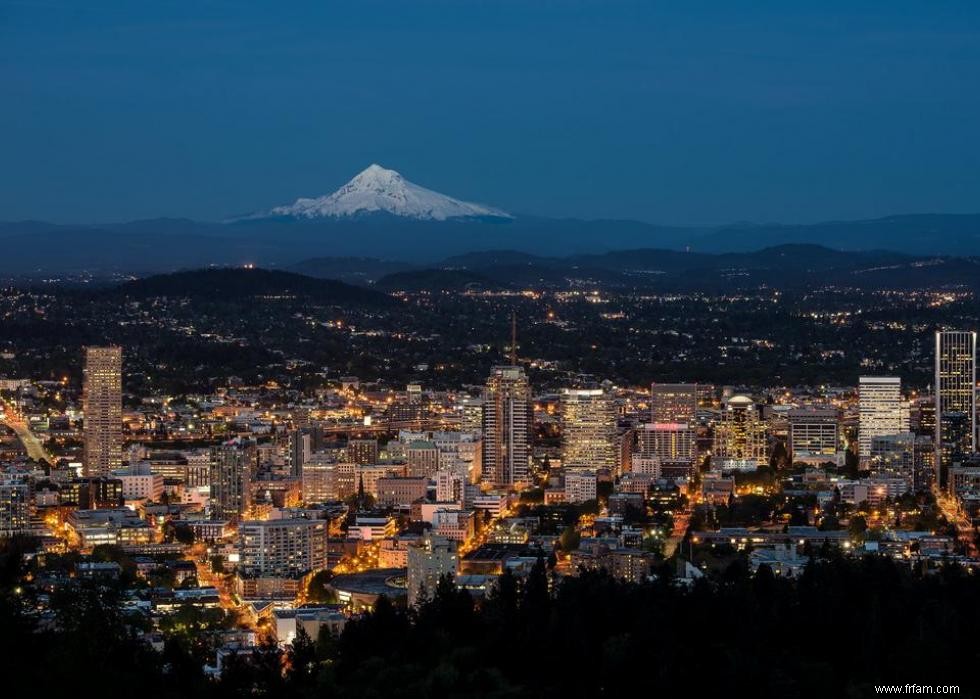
column 507, row 425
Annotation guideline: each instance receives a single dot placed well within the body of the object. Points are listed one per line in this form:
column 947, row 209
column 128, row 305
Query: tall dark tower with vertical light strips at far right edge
column 956, row 398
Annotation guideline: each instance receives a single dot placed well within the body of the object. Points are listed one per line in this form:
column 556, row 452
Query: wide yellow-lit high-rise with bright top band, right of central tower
column 588, row 424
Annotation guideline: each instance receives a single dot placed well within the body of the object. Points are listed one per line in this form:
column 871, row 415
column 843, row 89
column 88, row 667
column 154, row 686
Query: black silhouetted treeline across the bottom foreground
column 845, row 626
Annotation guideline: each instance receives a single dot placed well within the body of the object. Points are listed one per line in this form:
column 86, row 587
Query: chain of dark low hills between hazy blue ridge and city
column 787, row 267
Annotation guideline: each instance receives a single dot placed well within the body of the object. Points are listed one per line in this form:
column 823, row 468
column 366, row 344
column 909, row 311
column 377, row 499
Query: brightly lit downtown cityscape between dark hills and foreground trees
column 331, row 495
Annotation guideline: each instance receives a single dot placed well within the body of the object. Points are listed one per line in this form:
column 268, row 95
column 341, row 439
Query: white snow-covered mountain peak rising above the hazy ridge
column 378, row 189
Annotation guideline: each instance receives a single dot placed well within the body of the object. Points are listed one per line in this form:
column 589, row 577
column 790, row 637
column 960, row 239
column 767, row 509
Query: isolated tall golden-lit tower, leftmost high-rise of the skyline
column 102, row 404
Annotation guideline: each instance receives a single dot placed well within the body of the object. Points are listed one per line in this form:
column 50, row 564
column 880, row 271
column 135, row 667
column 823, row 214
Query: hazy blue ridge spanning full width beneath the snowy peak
column 35, row 248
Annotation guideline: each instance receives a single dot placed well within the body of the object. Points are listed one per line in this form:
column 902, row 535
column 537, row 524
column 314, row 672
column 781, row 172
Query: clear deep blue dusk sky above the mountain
column 673, row 112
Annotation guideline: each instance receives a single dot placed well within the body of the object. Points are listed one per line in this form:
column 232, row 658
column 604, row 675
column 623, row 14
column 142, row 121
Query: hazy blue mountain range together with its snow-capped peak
column 381, row 215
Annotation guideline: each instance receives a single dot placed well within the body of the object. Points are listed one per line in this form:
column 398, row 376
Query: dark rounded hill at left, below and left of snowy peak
column 241, row 283
